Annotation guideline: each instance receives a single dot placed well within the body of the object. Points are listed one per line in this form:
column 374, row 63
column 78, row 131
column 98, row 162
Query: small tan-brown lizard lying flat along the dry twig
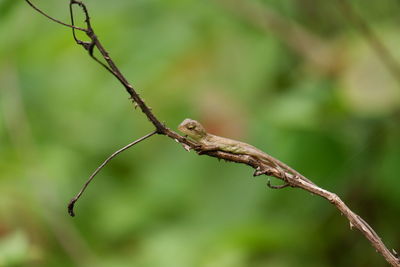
column 210, row 142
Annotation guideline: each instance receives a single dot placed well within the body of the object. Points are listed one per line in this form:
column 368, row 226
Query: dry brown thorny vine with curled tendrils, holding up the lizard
column 292, row 180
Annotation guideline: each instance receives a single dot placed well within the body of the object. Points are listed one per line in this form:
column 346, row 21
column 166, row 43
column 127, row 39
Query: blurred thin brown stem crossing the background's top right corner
column 376, row 44
